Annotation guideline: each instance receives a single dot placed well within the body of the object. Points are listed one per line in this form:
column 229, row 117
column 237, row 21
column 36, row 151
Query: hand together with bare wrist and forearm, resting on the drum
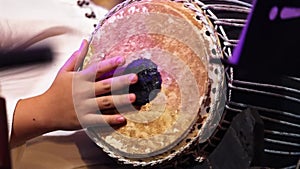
column 73, row 99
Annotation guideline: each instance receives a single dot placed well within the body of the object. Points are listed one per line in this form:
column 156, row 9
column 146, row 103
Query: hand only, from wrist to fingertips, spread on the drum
column 83, row 98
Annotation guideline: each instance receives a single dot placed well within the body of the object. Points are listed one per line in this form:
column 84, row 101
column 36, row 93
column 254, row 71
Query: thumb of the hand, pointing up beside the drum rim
column 77, row 57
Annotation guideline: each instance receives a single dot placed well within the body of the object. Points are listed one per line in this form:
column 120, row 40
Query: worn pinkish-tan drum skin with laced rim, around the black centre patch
column 179, row 38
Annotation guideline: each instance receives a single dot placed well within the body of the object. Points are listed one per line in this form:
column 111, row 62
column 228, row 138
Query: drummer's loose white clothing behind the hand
column 61, row 24
